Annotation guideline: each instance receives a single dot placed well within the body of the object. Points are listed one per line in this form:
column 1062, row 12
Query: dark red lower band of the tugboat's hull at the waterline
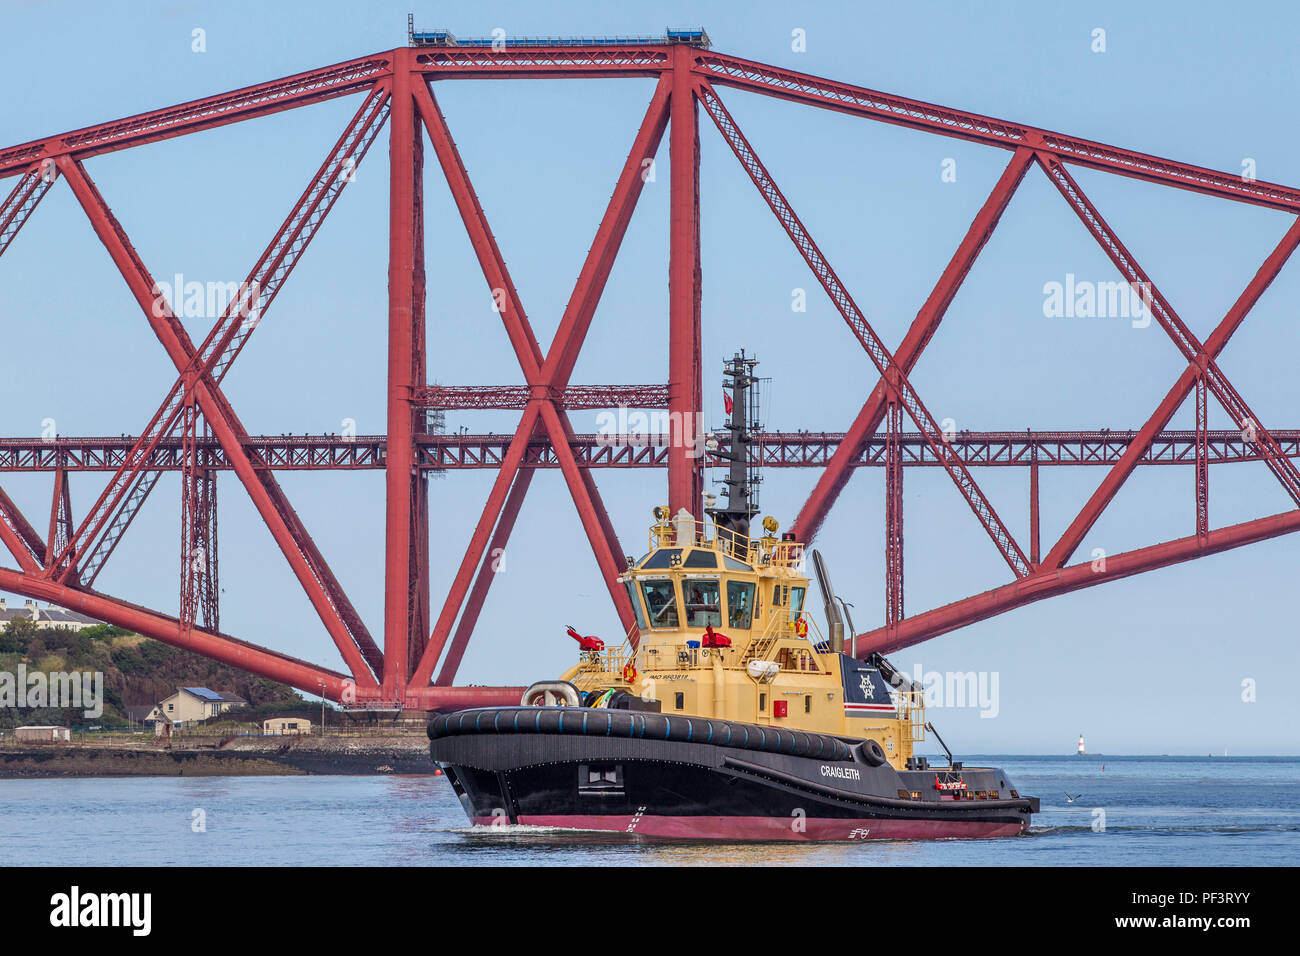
column 770, row 828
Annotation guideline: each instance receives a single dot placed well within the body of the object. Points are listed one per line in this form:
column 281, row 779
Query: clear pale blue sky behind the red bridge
column 1150, row 665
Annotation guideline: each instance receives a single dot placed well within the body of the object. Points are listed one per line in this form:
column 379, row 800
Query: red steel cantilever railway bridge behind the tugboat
column 414, row 663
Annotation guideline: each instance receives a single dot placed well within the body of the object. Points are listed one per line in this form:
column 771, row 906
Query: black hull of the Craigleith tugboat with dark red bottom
column 601, row 772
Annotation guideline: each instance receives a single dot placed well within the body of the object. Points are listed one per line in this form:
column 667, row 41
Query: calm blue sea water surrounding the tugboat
column 1159, row 811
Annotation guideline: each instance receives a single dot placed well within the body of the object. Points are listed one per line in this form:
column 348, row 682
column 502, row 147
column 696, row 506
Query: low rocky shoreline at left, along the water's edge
column 240, row 758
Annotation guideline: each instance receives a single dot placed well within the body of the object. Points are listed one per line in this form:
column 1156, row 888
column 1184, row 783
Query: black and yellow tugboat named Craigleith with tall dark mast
column 726, row 713
